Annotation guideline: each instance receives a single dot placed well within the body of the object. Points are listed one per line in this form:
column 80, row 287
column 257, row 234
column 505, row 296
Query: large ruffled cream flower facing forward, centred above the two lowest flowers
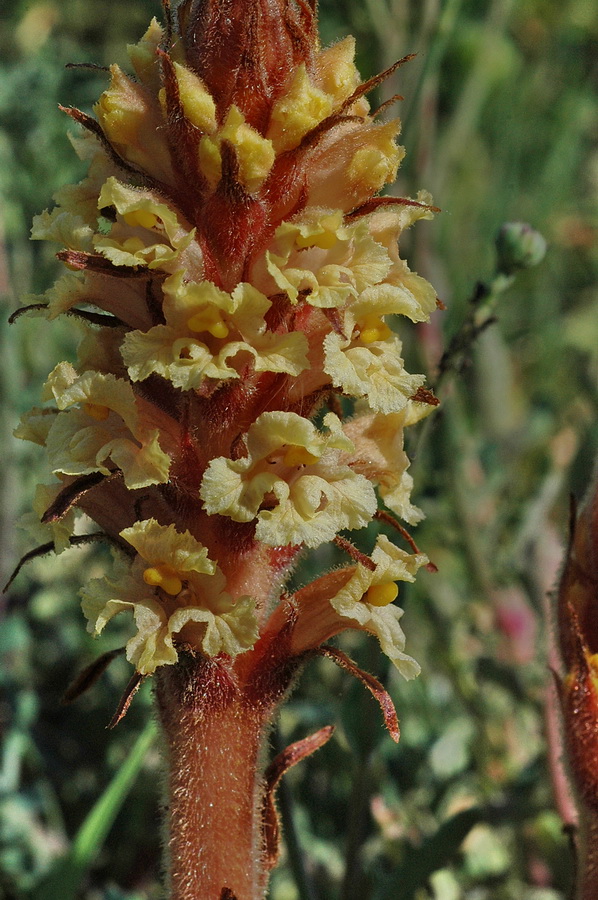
column 291, row 482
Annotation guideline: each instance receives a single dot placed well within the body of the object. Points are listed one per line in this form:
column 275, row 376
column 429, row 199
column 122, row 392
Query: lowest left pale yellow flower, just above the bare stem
column 176, row 593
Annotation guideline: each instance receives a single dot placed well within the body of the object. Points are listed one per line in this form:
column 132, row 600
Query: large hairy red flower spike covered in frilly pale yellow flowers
column 239, row 394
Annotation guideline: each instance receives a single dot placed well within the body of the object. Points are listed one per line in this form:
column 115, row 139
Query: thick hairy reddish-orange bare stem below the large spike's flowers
column 214, row 736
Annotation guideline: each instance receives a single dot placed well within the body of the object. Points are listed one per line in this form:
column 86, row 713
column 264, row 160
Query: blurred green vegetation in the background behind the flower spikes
column 500, row 123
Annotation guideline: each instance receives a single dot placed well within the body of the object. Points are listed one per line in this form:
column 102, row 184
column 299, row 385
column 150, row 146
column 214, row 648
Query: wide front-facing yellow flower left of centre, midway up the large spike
column 206, row 328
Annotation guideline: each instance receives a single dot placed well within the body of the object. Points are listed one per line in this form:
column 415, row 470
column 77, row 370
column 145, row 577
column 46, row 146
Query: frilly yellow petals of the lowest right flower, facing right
column 367, row 599
